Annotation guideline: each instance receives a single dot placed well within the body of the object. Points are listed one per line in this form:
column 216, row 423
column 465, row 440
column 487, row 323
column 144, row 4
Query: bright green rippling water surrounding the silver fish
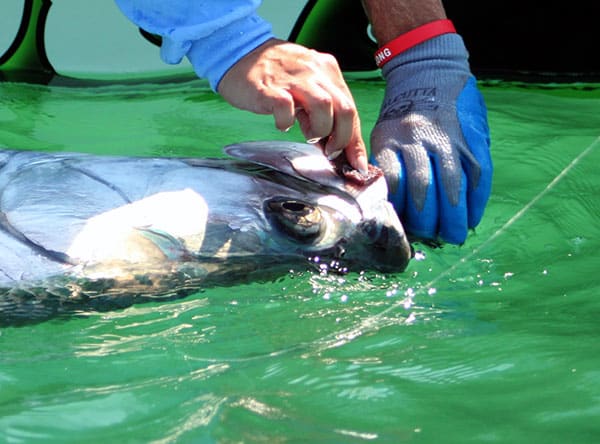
column 495, row 341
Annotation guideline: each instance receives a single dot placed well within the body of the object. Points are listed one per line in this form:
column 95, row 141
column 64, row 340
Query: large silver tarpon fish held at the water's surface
column 79, row 231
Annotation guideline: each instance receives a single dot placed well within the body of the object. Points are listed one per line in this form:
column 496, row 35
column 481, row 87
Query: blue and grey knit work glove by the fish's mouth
column 432, row 141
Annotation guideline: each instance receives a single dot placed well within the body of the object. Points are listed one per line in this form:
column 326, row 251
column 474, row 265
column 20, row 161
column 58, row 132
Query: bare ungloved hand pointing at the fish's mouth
column 293, row 82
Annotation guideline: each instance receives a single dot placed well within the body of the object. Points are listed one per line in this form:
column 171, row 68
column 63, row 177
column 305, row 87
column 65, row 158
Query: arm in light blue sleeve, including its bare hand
column 231, row 46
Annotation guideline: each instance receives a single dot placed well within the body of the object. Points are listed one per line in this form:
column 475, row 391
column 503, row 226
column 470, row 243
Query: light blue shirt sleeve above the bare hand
column 213, row 34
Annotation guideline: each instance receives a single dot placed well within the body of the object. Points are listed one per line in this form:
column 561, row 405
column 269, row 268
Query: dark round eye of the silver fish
column 295, row 218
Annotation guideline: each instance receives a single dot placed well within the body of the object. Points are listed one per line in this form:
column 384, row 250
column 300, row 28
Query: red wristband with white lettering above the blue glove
column 412, row 38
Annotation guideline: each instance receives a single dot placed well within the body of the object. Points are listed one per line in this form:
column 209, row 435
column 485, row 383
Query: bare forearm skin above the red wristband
column 390, row 18
